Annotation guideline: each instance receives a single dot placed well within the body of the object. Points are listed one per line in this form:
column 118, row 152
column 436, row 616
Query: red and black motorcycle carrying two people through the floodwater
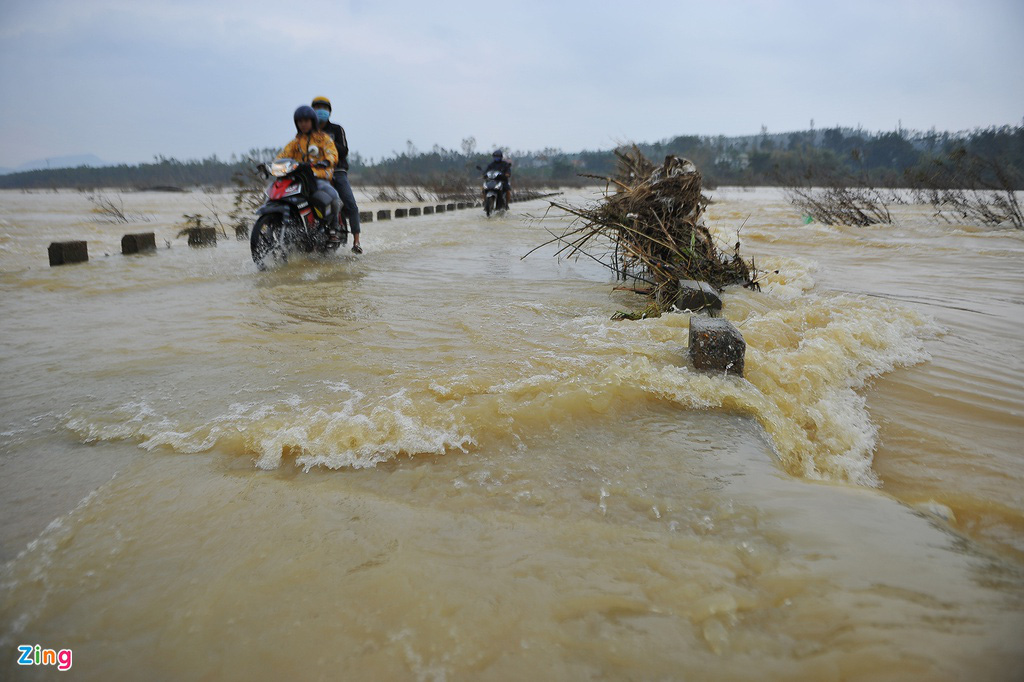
column 295, row 217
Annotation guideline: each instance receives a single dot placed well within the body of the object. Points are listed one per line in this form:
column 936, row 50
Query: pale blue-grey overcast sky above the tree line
column 129, row 80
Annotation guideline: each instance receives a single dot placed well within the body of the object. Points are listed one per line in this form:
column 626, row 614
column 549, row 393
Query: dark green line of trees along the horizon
column 894, row 159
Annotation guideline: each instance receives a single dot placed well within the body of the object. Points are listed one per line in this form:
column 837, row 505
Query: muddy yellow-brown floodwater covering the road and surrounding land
column 441, row 461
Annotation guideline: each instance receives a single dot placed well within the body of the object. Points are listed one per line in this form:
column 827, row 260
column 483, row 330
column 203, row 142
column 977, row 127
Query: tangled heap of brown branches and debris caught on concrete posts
column 652, row 229
